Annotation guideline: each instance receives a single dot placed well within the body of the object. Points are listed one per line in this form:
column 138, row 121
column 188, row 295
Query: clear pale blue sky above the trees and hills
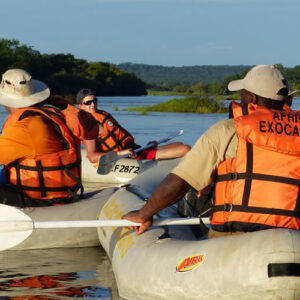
column 159, row 32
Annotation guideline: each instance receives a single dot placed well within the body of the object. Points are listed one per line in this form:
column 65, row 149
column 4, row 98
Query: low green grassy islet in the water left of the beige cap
column 201, row 105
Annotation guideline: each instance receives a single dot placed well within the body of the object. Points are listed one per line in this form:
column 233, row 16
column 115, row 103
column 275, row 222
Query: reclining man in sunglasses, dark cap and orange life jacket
column 114, row 137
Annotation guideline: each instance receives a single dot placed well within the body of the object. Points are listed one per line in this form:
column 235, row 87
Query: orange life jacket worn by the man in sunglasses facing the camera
column 114, row 136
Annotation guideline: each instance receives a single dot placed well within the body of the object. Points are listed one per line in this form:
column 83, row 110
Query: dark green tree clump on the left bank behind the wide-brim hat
column 65, row 75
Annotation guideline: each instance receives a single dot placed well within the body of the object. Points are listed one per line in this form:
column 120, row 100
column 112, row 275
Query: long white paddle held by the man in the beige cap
column 16, row 226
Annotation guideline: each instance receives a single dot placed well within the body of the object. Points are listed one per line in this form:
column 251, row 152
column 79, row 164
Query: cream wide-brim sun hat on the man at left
column 18, row 89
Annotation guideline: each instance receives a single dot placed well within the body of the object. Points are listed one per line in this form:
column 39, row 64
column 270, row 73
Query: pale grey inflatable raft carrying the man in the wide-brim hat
column 86, row 209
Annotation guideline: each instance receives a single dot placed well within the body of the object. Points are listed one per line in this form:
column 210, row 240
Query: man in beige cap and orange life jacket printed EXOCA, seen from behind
column 253, row 160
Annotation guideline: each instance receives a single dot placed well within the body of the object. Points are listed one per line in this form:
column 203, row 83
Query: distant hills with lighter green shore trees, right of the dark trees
column 198, row 80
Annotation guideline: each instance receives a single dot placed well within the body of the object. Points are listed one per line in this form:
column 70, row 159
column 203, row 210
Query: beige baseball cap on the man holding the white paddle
column 266, row 81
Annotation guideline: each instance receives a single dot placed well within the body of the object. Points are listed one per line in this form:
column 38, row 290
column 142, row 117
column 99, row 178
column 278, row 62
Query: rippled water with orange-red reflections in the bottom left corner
column 56, row 274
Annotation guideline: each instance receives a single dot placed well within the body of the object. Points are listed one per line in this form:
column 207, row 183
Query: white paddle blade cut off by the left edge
column 12, row 231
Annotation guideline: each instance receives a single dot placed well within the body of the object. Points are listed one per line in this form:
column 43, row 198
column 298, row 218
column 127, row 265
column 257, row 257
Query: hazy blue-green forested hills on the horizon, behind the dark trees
column 154, row 74
